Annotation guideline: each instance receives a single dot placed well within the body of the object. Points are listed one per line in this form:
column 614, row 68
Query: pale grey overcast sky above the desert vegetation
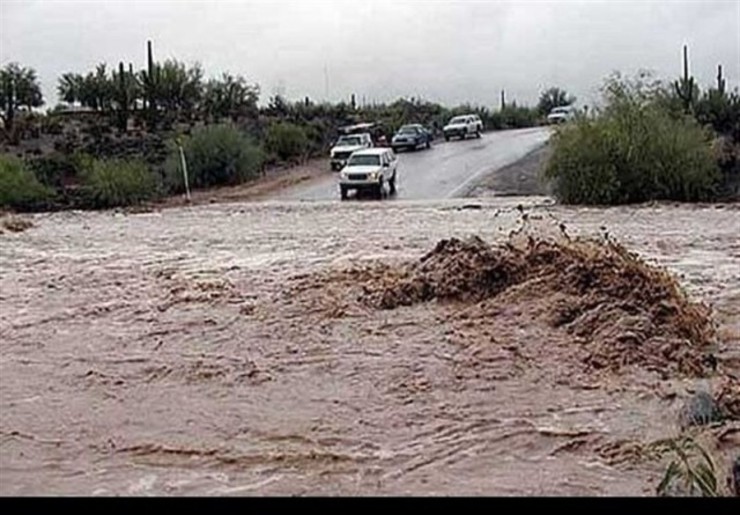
column 442, row 50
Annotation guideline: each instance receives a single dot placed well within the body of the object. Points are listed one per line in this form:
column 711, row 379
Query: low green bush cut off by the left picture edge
column 19, row 187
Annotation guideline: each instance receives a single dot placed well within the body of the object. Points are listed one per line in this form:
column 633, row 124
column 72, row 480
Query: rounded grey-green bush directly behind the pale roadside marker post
column 215, row 155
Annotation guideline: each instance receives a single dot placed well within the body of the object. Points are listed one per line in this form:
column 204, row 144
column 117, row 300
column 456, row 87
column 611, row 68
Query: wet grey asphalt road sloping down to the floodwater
column 447, row 170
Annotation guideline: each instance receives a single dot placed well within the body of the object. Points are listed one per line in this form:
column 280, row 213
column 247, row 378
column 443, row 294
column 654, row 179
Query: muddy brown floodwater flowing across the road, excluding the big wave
column 206, row 351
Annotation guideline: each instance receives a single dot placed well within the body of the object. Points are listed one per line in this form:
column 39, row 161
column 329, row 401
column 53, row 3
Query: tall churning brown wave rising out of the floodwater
column 622, row 310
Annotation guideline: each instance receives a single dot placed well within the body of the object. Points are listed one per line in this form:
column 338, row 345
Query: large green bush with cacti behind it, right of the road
column 650, row 141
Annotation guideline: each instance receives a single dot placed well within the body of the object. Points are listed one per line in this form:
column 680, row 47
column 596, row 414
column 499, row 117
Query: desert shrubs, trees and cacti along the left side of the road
column 115, row 122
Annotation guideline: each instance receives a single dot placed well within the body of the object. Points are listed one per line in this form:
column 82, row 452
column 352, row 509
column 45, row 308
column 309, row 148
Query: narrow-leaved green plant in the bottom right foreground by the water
column 691, row 472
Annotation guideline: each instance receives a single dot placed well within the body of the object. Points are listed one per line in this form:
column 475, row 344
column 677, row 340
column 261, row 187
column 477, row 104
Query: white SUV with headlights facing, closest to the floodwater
column 369, row 170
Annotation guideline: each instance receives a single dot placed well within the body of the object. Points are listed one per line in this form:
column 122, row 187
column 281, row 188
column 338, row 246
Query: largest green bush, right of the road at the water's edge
column 632, row 151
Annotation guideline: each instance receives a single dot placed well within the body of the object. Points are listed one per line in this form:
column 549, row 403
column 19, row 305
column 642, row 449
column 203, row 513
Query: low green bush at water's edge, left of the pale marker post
column 117, row 182
